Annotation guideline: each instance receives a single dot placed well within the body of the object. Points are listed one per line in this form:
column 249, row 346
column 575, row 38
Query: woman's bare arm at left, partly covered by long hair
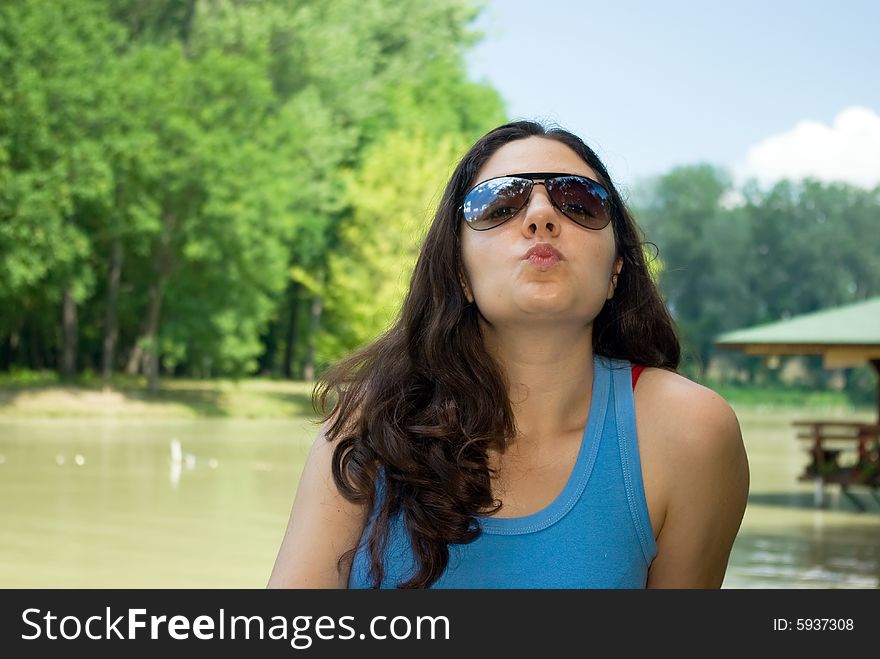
column 323, row 525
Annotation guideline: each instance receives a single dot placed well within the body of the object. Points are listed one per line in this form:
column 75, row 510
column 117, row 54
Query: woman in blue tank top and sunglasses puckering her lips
column 495, row 437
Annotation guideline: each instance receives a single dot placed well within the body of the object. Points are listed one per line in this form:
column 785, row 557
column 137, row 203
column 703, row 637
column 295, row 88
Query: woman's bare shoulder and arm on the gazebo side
column 697, row 463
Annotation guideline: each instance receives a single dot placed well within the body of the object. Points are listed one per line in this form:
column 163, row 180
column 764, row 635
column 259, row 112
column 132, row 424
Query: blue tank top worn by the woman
column 595, row 534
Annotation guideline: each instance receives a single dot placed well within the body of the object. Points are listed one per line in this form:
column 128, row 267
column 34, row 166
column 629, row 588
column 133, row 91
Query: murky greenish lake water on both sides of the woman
column 141, row 503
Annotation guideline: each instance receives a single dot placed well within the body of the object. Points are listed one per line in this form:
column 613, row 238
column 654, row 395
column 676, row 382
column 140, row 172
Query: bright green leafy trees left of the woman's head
column 226, row 150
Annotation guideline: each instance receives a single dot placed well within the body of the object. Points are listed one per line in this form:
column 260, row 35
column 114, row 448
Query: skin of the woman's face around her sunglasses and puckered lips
column 507, row 287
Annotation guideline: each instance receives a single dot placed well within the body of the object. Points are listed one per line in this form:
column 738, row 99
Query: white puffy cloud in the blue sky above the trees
column 847, row 150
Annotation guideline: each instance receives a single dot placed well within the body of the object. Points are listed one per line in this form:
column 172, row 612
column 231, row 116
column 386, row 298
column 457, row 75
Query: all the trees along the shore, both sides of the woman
column 225, row 187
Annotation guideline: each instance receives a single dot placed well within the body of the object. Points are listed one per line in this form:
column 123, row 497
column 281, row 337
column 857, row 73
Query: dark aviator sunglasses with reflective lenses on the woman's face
column 493, row 202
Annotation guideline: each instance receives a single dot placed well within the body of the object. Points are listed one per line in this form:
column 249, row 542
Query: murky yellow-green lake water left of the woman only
column 133, row 516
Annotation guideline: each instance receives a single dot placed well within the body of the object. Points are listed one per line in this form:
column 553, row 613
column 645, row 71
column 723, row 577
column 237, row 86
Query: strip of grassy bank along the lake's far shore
column 31, row 394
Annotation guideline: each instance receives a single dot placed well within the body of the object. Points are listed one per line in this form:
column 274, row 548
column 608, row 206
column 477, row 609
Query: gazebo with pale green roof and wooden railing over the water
column 845, row 336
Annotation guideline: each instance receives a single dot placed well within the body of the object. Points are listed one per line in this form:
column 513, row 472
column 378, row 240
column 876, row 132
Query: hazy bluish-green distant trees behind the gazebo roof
column 732, row 258
